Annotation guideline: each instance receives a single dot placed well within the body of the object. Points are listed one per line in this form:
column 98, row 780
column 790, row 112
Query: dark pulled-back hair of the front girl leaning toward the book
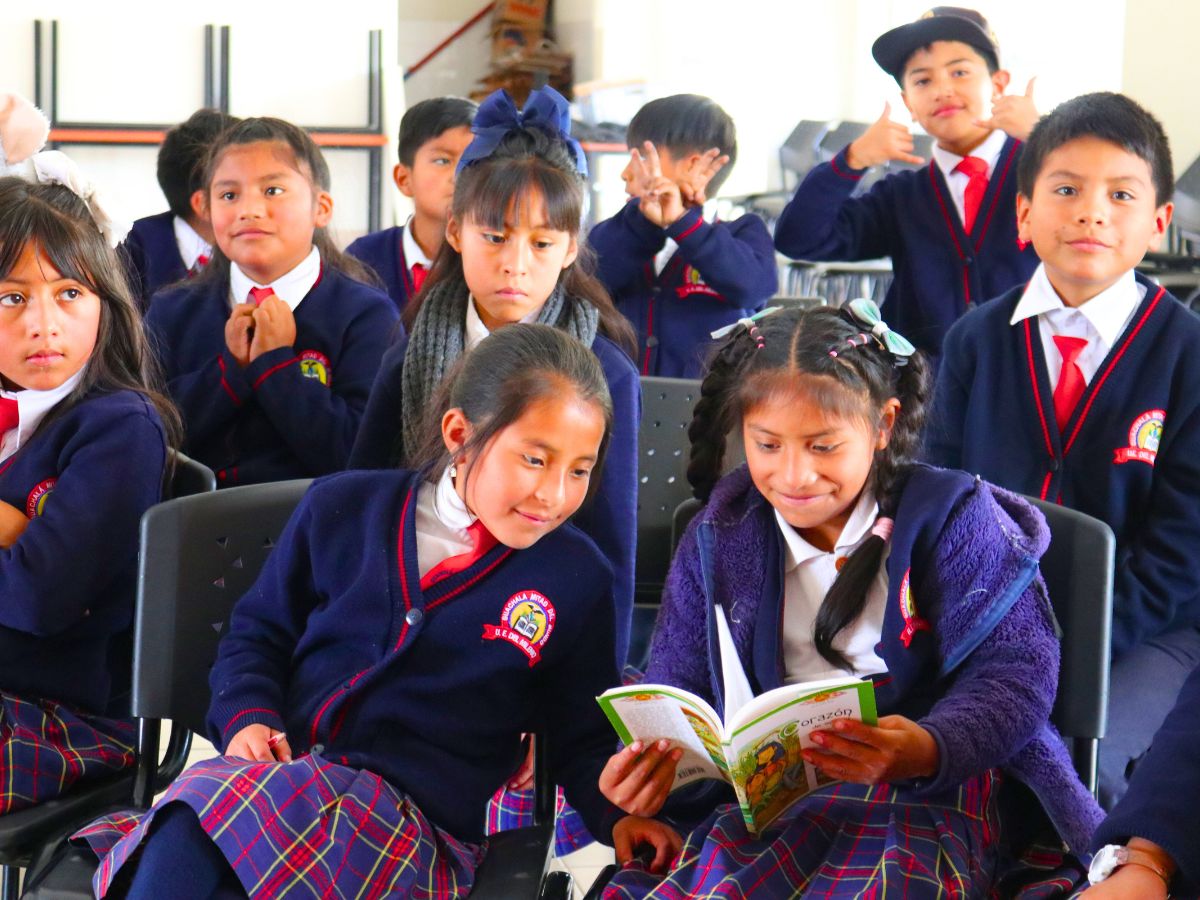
column 496, row 382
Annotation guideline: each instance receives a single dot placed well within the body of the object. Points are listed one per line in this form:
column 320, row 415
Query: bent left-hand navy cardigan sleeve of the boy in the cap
column 823, row 221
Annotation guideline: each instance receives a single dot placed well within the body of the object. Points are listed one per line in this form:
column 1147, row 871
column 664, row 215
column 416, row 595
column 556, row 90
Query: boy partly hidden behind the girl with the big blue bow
column 433, row 136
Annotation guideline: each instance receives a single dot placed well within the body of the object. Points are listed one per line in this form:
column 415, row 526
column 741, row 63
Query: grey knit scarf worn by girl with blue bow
column 437, row 343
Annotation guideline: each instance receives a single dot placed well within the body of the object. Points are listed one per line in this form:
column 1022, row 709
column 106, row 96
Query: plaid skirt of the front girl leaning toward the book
column 305, row 829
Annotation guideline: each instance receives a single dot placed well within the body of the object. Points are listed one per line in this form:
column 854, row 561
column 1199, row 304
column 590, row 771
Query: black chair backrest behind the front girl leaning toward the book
column 200, row 555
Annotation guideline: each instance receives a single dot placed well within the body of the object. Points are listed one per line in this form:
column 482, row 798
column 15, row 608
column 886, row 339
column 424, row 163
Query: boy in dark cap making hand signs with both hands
column 949, row 227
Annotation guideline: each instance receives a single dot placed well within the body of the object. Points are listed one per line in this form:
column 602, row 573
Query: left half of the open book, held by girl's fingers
column 651, row 712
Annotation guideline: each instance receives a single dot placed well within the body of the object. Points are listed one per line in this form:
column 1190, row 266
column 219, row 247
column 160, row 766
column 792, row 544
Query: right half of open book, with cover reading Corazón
column 769, row 770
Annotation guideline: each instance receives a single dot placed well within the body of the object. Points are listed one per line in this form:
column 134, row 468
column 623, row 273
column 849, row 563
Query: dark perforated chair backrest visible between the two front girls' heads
column 662, row 473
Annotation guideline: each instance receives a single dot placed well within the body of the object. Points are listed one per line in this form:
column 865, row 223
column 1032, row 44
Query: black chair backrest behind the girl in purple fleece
column 1078, row 569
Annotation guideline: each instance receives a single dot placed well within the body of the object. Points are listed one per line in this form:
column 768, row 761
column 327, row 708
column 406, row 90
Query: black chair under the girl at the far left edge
column 25, row 832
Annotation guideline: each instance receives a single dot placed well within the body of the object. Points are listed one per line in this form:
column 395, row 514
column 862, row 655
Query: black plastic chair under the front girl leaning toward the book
column 200, row 556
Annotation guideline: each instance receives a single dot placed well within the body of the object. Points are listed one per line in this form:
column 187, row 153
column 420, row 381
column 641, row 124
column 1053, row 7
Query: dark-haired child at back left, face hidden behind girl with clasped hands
column 166, row 248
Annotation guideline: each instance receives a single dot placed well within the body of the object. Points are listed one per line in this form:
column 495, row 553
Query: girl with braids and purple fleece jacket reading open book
column 832, row 551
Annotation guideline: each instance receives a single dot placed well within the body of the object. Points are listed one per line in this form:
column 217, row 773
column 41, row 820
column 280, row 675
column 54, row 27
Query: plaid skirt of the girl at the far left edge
column 47, row 748
